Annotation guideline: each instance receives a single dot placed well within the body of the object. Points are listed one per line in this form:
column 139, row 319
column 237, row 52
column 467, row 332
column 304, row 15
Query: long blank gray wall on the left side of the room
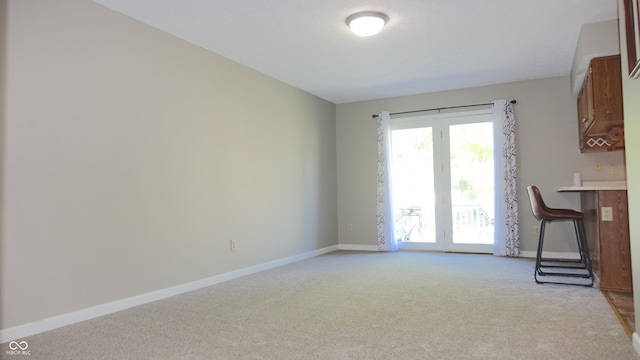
column 132, row 158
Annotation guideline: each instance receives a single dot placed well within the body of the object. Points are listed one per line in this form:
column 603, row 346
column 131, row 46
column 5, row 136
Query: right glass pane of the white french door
column 471, row 169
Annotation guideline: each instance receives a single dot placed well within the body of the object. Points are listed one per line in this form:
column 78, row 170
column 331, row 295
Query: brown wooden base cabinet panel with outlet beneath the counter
column 608, row 240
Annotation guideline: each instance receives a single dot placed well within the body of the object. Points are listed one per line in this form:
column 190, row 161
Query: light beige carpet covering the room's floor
column 351, row 305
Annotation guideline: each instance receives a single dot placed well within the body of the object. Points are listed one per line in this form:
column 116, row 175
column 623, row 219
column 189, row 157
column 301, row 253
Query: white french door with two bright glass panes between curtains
column 442, row 178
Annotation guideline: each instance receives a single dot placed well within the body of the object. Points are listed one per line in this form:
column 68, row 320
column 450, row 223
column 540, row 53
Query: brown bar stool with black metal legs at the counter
column 559, row 268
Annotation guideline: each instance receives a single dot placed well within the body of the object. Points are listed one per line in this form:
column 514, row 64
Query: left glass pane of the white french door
column 413, row 184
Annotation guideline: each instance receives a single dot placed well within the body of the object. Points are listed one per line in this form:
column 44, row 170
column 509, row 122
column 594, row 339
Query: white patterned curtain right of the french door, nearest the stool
column 507, row 238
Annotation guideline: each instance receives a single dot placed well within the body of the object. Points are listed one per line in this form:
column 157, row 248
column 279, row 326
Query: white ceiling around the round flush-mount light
column 427, row 45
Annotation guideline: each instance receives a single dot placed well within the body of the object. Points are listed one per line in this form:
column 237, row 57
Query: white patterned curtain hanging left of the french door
column 387, row 241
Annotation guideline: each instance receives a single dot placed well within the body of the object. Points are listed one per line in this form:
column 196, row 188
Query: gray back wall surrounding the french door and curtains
column 547, row 141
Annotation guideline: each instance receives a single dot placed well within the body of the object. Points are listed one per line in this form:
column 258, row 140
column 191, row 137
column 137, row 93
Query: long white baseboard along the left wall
column 58, row 321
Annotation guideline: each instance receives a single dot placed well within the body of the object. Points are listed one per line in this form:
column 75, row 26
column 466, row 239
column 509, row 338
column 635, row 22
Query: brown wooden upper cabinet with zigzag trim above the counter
column 600, row 116
